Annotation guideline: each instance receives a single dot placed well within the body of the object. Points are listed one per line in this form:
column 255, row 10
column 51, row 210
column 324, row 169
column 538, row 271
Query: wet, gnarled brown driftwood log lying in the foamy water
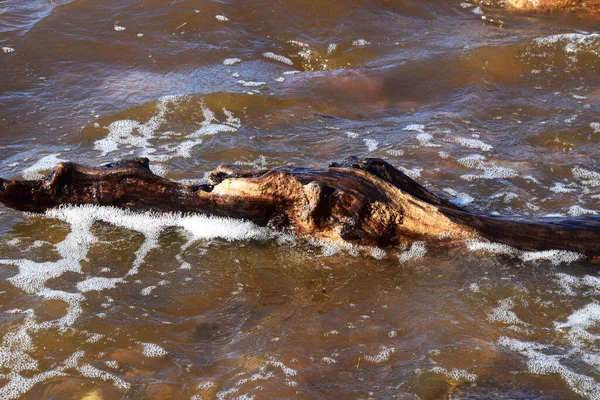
column 367, row 202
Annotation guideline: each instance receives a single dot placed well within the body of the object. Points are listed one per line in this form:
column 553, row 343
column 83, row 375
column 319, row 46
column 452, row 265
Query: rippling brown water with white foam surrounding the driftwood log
column 497, row 113
